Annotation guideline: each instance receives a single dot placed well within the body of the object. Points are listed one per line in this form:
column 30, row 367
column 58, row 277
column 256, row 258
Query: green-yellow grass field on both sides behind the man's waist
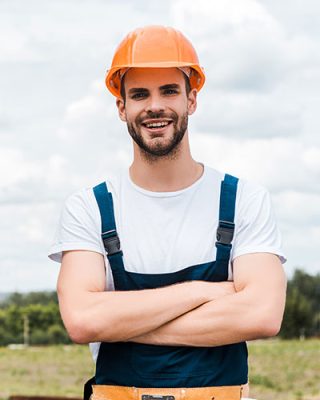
column 279, row 370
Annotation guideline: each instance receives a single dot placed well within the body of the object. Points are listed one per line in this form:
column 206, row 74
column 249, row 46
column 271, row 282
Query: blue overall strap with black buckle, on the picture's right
column 225, row 230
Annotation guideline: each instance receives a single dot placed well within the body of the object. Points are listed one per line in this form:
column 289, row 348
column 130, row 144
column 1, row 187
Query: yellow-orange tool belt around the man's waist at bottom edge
column 108, row 392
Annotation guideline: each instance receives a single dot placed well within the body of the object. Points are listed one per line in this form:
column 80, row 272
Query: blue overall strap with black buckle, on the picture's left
column 109, row 233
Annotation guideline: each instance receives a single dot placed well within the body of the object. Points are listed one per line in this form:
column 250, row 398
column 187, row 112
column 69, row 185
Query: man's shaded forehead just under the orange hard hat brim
column 153, row 77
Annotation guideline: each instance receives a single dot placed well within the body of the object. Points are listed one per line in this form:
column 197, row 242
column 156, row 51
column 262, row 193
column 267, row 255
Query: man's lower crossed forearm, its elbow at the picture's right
column 227, row 320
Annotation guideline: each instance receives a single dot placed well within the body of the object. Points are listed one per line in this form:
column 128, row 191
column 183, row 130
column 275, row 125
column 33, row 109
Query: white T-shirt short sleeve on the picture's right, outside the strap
column 256, row 227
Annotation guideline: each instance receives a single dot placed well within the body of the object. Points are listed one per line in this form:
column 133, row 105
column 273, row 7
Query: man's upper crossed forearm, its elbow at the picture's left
column 118, row 316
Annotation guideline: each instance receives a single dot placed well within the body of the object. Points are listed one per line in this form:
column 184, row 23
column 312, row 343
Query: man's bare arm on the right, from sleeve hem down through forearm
column 254, row 311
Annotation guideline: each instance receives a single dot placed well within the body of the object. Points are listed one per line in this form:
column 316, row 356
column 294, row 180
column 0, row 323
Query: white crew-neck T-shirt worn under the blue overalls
column 163, row 232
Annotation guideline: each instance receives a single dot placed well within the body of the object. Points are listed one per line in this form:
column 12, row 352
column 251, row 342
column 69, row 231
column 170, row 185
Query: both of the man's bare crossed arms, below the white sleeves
column 193, row 313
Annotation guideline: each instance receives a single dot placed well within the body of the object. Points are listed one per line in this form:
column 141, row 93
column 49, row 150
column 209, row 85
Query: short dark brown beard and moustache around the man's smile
column 159, row 149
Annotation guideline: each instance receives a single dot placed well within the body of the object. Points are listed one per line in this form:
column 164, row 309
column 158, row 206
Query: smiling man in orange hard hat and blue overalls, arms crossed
column 167, row 269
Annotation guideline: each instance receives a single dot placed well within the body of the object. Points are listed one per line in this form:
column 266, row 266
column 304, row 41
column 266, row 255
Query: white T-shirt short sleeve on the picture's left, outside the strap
column 78, row 227
